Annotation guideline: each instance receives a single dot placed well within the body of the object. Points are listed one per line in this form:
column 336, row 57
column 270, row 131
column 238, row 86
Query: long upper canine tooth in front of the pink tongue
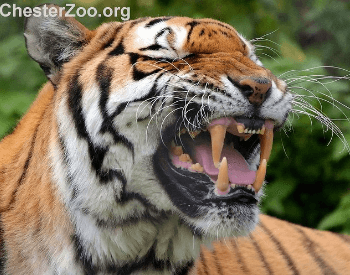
column 217, row 134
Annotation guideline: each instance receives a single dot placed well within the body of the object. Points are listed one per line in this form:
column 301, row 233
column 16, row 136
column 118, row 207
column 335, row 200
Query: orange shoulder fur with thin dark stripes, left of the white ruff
column 30, row 207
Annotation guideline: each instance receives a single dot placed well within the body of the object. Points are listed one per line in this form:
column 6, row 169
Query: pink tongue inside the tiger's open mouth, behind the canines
column 238, row 171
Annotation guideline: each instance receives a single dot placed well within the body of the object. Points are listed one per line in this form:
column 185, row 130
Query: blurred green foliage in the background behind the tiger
column 309, row 171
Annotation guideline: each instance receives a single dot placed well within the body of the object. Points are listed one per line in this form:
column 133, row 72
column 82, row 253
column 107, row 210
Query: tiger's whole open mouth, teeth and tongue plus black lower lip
column 215, row 165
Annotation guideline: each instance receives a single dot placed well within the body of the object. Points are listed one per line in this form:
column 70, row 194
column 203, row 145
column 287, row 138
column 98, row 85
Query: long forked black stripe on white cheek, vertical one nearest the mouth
column 104, row 77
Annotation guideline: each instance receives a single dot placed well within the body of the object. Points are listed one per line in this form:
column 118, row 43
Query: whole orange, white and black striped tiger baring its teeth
column 147, row 145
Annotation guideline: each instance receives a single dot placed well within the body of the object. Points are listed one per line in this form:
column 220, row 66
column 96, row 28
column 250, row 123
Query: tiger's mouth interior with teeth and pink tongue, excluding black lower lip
column 221, row 151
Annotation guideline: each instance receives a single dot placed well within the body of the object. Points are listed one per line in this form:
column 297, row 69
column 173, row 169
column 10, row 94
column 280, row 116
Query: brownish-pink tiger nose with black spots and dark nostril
column 256, row 90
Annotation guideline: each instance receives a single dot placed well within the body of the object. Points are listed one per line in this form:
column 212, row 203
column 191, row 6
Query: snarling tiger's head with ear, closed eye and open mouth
column 160, row 117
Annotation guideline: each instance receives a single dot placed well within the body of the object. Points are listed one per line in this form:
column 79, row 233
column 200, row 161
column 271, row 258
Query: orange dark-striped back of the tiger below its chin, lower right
column 277, row 247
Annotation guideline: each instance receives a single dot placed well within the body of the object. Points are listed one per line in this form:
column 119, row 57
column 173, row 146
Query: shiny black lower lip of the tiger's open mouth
column 192, row 192
